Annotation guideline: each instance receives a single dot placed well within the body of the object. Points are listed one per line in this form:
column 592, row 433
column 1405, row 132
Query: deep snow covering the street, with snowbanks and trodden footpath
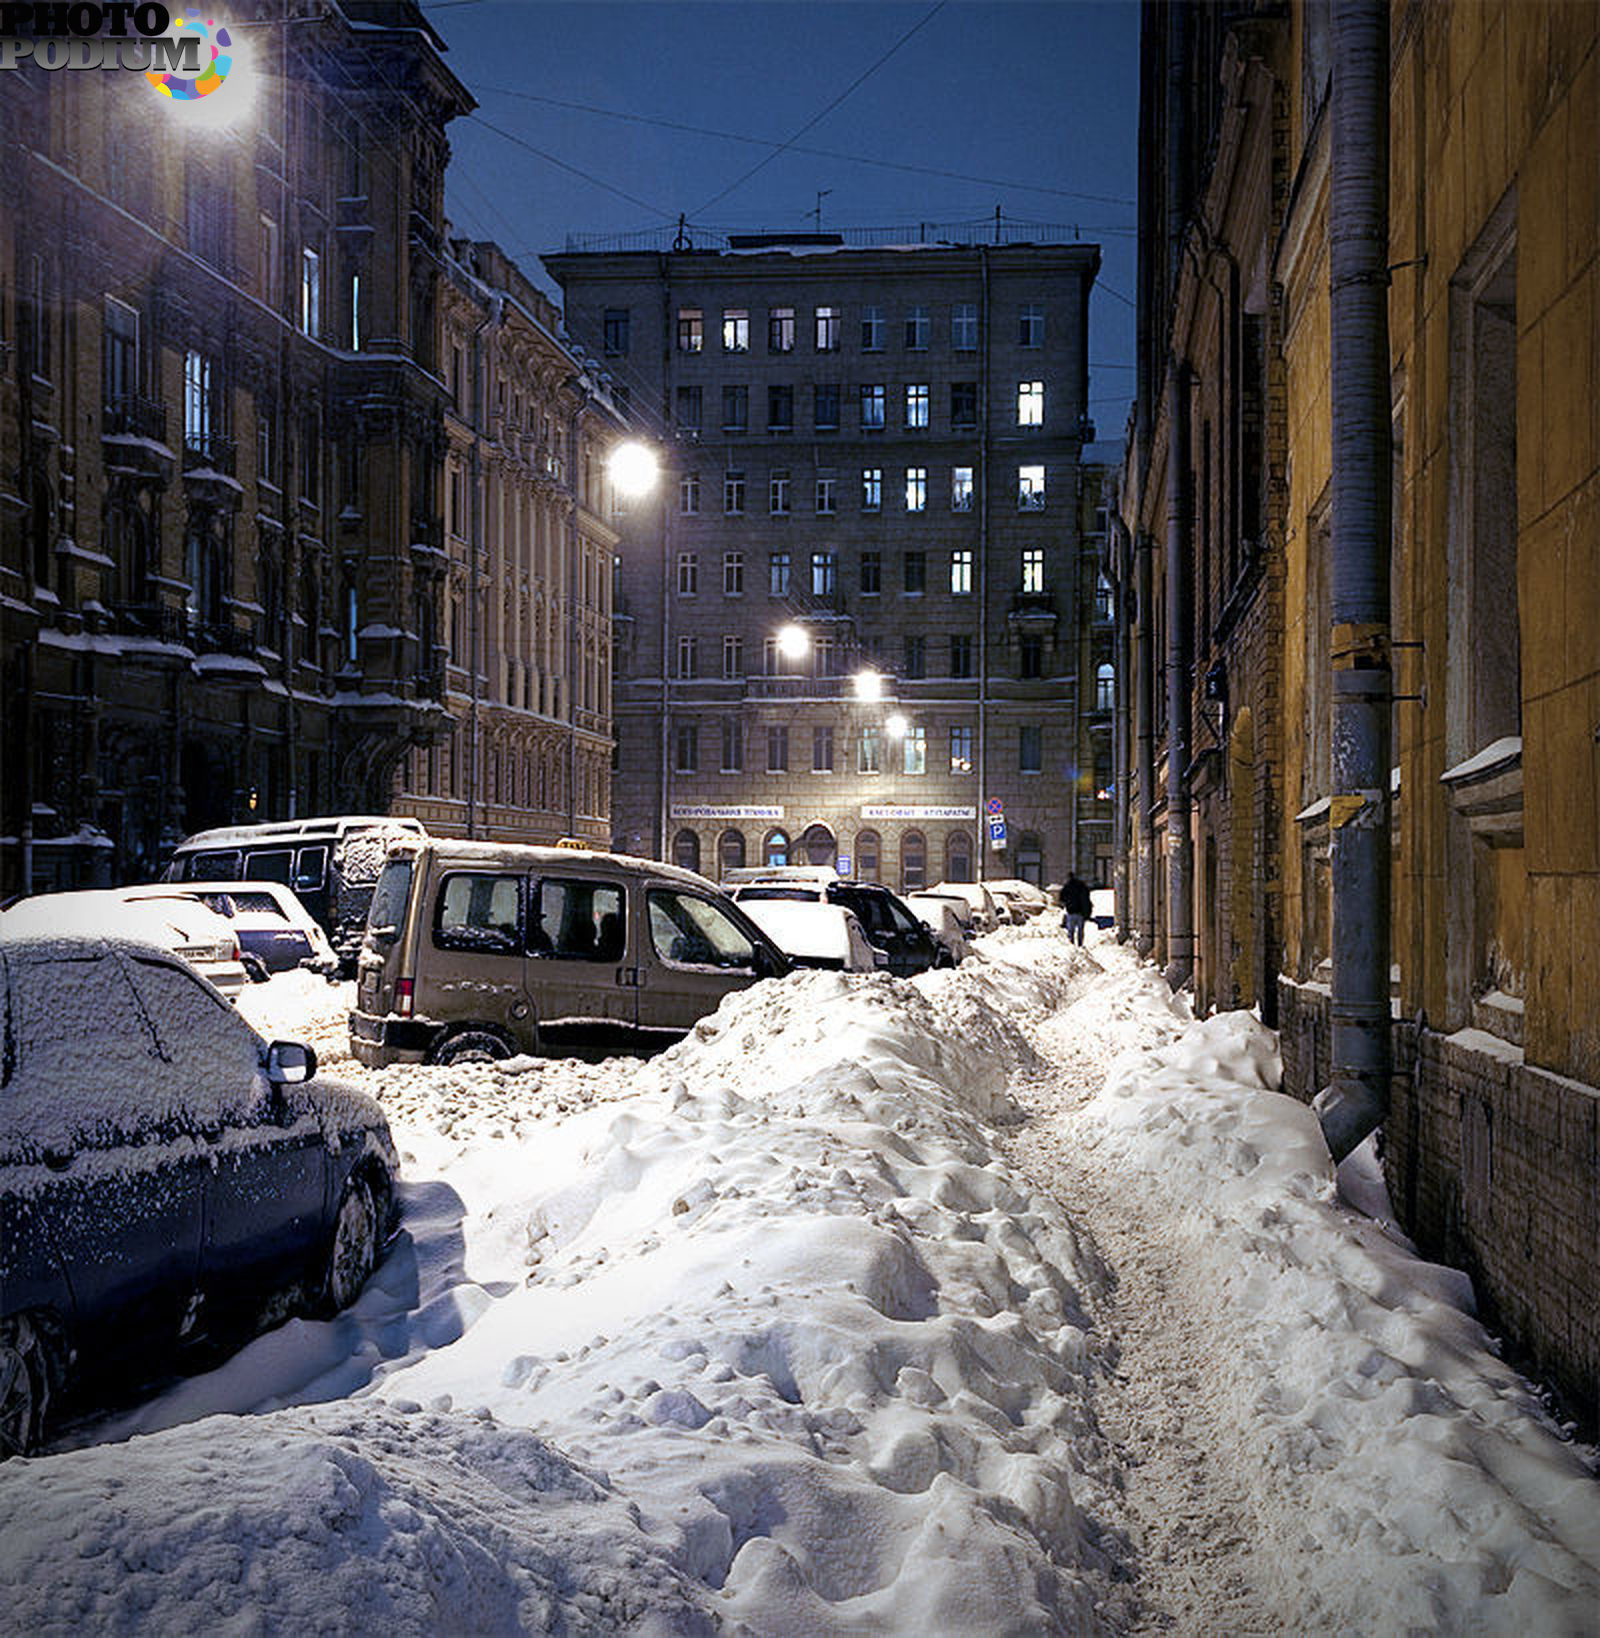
column 1001, row 1300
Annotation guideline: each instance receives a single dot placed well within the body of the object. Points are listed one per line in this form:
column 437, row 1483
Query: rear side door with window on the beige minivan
column 582, row 964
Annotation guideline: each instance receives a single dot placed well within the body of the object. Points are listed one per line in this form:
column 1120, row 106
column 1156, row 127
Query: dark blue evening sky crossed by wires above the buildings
column 1037, row 99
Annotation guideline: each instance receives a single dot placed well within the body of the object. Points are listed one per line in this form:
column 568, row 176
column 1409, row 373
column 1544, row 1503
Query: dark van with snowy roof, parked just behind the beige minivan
column 330, row 864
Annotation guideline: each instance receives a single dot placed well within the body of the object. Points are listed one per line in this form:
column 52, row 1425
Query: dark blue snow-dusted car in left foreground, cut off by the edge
column 168, row 1179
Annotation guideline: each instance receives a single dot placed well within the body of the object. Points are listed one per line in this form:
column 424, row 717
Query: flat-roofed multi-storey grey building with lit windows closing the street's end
column 872, row 469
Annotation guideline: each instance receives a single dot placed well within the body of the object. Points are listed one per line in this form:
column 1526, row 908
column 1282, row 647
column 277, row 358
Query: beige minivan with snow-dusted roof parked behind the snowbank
column 484, row 951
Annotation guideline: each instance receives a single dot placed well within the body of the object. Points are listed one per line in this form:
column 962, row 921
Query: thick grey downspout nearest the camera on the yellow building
column 1357, row 1098
